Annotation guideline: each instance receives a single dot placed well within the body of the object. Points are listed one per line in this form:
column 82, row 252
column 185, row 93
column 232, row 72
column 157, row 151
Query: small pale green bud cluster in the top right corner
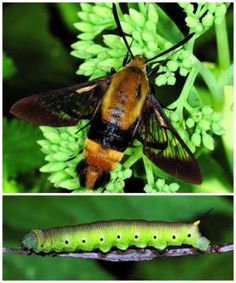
column 202, row 17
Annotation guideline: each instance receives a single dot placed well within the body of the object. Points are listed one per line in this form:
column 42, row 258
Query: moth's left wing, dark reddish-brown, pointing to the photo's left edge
column 62, row 107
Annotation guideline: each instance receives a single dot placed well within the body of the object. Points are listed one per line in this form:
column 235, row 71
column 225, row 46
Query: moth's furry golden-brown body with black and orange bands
column 111, row 130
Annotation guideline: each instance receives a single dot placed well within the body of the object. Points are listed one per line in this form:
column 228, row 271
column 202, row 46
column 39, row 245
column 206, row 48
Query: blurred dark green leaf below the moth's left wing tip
column 21, row 158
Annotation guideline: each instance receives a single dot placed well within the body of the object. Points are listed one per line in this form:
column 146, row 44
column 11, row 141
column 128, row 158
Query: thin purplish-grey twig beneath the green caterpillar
column 130, row 254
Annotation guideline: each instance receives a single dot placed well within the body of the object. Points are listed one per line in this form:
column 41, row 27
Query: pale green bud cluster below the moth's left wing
column 62, row 148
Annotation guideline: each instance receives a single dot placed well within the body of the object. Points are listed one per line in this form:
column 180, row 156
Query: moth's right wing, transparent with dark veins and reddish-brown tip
column 164, row 146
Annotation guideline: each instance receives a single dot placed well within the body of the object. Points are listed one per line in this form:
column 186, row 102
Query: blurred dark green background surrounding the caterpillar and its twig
column 21, row 214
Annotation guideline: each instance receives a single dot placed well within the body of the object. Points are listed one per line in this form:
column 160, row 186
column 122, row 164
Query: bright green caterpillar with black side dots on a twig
column 118, row 233
